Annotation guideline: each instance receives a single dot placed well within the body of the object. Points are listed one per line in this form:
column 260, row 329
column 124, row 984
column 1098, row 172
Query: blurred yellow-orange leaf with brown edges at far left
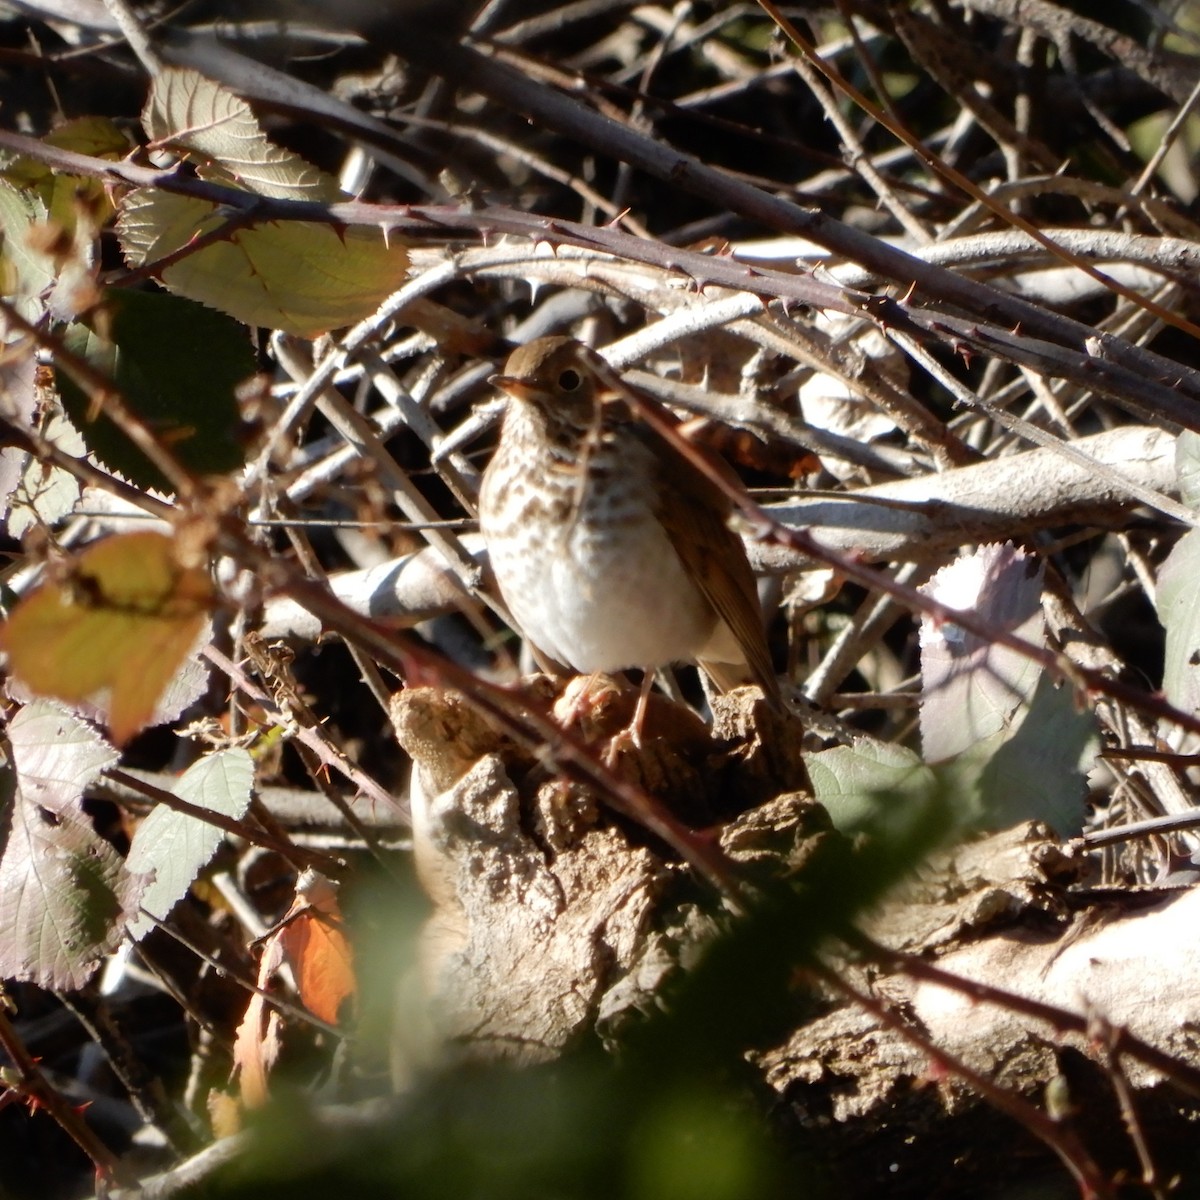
column 124, row 619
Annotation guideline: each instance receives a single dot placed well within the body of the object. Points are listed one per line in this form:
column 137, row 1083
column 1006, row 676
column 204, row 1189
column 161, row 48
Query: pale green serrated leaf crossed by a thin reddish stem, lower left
column 176, row 847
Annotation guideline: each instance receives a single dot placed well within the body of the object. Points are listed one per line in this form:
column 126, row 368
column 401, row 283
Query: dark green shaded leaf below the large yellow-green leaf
column 177, row 365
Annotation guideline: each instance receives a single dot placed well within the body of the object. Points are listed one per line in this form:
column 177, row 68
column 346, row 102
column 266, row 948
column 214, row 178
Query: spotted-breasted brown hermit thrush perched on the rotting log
column 610, row 548
